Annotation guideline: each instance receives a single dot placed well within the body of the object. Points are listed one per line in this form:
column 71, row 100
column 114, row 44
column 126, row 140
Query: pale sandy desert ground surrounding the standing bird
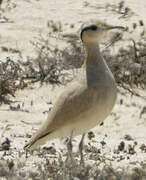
column 114, row 151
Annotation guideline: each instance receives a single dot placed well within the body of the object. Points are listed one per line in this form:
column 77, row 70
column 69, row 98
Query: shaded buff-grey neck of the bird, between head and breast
column 97, row 70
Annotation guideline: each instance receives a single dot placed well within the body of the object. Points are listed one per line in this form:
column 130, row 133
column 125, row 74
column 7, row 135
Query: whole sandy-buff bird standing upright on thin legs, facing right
column 87, row 100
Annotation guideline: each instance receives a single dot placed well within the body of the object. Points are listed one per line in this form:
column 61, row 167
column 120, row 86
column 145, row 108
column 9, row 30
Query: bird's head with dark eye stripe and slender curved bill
column 96, row 31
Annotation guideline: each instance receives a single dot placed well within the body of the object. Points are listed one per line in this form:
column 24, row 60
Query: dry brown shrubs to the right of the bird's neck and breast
column 129, row 65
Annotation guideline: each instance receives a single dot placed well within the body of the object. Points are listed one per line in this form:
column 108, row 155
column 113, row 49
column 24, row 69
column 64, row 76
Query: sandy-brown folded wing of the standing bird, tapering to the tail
column 74, row 101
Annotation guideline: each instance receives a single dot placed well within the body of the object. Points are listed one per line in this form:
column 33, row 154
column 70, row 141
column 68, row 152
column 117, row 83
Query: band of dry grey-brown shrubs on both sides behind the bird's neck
column 128, row 65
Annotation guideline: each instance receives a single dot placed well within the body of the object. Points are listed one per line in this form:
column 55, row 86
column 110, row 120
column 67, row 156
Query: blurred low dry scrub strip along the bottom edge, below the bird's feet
column 58, row 171
